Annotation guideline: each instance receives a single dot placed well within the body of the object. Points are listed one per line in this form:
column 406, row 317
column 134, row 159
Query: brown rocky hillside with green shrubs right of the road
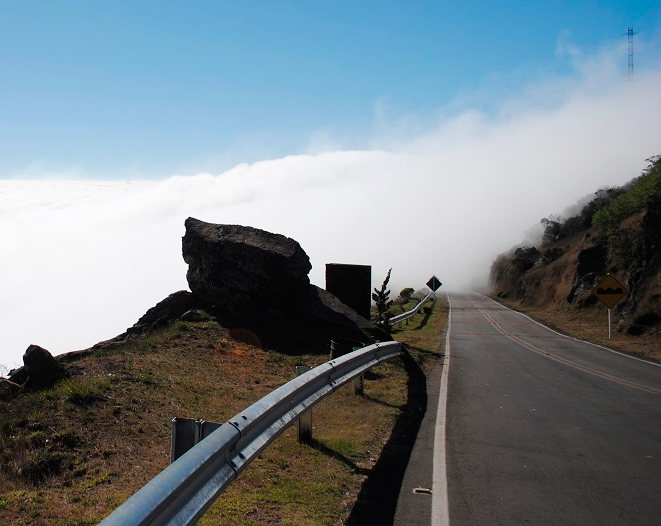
column 617, row 232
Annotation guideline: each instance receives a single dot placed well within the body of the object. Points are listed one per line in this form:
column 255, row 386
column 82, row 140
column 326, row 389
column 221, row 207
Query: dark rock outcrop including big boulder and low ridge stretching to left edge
column 252, row 282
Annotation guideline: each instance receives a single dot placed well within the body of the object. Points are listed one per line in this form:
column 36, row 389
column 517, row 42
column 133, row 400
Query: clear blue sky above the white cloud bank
column 135, row 90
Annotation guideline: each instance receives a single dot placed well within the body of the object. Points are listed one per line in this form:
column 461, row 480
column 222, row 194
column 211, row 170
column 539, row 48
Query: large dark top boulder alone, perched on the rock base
column 238, row 269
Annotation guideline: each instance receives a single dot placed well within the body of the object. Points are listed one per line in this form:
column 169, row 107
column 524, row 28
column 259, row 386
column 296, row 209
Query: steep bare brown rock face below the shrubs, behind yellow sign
column 562, row 275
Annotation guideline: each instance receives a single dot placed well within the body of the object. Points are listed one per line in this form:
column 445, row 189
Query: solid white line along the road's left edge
column 440, row 513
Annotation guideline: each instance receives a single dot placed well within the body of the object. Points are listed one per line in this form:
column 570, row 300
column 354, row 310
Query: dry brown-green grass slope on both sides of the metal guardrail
column 71, row 454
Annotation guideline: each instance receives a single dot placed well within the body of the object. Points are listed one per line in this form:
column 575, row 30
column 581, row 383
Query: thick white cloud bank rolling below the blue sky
column 82, row 261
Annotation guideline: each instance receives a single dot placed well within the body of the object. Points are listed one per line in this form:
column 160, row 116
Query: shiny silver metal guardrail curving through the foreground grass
column 183, row 491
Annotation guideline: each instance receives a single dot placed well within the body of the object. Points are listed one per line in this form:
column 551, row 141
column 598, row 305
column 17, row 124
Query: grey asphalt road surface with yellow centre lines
column 545, row 429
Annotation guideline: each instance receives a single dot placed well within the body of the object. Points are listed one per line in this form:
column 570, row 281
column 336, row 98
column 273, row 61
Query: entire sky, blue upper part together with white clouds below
column 426, row 137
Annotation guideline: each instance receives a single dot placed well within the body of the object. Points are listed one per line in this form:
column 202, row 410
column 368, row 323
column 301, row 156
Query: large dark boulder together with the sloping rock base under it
column 256, row 284
